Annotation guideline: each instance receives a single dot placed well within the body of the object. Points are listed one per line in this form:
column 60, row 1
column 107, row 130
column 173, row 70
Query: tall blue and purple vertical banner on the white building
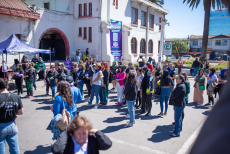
column 116, row 39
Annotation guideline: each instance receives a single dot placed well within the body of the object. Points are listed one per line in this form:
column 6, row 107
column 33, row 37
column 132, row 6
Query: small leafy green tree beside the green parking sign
column 179, row 45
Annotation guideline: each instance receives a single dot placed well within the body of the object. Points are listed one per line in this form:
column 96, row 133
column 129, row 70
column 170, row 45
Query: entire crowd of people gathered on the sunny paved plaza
column 135, row 85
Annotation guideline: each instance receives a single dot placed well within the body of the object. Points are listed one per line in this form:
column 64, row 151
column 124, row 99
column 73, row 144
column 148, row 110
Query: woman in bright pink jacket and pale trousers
column 120, row 82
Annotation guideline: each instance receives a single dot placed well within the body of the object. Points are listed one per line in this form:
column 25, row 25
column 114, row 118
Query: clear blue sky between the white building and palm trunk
column 183, row 21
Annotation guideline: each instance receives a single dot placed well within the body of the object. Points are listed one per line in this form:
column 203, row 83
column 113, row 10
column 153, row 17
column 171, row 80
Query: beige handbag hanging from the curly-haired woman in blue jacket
column 65, row 120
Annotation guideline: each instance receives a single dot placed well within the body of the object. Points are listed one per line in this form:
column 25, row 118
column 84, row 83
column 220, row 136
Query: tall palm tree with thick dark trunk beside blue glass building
column 207, row 8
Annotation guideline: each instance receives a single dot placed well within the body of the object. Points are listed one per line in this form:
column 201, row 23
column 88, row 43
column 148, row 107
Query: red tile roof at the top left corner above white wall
column 17, row 8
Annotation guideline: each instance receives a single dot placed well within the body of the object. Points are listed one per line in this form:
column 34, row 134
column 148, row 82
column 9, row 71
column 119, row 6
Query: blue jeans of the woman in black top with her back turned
column 165, row 93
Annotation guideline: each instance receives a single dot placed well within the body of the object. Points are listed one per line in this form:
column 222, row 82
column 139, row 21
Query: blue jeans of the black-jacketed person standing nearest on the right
column 178, row 119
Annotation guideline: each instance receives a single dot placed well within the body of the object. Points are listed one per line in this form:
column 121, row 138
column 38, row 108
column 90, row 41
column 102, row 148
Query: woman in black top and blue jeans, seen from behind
column 165, row 84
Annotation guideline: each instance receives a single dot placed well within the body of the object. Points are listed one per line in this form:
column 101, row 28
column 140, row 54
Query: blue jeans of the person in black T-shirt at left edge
column 9, row 133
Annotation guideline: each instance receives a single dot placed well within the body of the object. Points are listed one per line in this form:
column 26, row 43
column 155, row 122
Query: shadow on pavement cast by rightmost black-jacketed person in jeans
column 161, row 133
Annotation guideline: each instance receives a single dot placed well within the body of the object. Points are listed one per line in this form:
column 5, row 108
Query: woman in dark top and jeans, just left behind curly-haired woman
column 52, row 75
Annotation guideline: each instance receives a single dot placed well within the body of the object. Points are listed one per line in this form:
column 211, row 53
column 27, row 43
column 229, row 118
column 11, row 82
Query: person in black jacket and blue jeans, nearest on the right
column 177, row 99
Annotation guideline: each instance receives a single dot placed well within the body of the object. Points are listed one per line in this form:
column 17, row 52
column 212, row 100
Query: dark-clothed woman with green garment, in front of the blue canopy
column 29, row 81
